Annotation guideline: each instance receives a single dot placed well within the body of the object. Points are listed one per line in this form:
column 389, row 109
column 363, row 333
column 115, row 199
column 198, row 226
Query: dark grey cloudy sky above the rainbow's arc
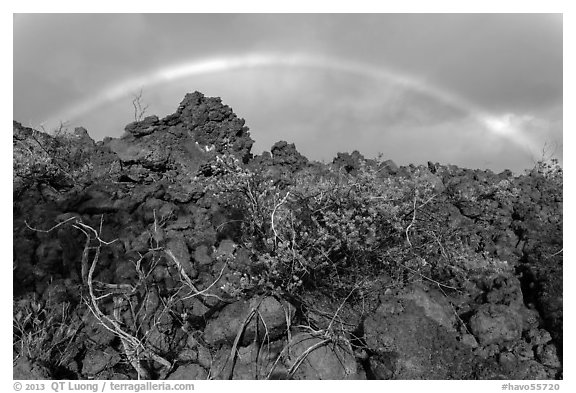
column 498, row 59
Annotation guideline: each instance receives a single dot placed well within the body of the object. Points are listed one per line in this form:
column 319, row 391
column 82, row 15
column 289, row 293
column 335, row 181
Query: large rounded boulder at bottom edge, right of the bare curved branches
column 407, row 344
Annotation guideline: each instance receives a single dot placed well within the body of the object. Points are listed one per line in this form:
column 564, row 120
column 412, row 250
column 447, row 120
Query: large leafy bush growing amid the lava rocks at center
column 320, row 228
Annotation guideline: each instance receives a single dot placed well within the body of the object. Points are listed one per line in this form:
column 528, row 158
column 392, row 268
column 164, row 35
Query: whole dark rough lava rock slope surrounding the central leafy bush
column 141, row 192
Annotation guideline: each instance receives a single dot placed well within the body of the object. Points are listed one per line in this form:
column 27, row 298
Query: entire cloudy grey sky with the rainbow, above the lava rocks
column 476, row 90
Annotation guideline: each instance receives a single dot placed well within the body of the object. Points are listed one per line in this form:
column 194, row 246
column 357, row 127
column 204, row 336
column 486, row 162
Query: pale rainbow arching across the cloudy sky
column 499, row 125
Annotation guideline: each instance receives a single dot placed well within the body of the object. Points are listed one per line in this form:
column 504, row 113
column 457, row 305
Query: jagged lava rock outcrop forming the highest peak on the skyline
column 178, row 141
